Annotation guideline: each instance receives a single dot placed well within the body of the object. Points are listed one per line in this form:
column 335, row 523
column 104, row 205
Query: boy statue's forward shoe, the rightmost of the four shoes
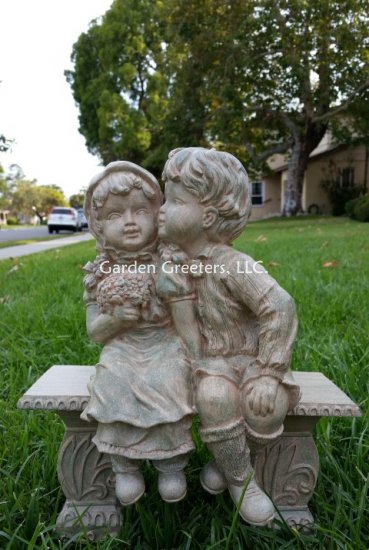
column 256, row 508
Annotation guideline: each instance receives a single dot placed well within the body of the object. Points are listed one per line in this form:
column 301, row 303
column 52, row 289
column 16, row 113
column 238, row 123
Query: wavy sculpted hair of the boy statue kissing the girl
column 219, row 180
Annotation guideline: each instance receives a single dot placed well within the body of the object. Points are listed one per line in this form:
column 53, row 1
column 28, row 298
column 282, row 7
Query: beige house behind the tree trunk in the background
column 343, row 163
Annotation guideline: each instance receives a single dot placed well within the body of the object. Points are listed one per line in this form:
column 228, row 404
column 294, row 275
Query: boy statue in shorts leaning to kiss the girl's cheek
column 243, row 387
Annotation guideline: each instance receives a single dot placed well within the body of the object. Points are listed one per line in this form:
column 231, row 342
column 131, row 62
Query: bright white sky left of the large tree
column 37, row 108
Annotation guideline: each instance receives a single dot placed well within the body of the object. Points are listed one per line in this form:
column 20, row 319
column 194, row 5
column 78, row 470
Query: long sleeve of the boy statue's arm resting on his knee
column 274, row 309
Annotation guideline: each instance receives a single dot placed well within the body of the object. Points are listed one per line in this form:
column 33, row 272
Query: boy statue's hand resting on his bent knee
column 260, row 394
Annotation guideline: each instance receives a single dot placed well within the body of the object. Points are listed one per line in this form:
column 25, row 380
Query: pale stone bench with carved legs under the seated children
column 287, row 469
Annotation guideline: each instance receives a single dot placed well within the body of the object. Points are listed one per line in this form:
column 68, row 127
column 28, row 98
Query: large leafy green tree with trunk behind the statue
column 256, row 77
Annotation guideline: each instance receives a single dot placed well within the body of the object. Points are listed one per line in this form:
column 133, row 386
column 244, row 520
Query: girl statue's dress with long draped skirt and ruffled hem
column 141, row 391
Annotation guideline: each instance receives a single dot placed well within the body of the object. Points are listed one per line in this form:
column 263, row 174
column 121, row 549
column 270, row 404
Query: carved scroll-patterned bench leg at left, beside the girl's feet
column 87, row 481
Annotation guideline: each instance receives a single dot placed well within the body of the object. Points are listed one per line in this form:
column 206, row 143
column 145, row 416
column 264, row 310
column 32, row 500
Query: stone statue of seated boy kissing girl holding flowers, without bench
column 188, row 324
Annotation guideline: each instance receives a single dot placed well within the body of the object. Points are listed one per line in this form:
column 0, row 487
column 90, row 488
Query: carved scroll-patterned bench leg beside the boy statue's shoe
column 288, row 469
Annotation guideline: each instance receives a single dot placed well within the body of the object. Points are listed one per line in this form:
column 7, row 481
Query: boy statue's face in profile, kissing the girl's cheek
column 181, row 217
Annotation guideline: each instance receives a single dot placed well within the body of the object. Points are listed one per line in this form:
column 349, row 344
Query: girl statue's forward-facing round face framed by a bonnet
column 128, row 221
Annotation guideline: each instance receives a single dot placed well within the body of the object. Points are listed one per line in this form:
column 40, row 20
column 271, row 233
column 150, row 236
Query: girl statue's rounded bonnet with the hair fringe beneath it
column 118, row 178
